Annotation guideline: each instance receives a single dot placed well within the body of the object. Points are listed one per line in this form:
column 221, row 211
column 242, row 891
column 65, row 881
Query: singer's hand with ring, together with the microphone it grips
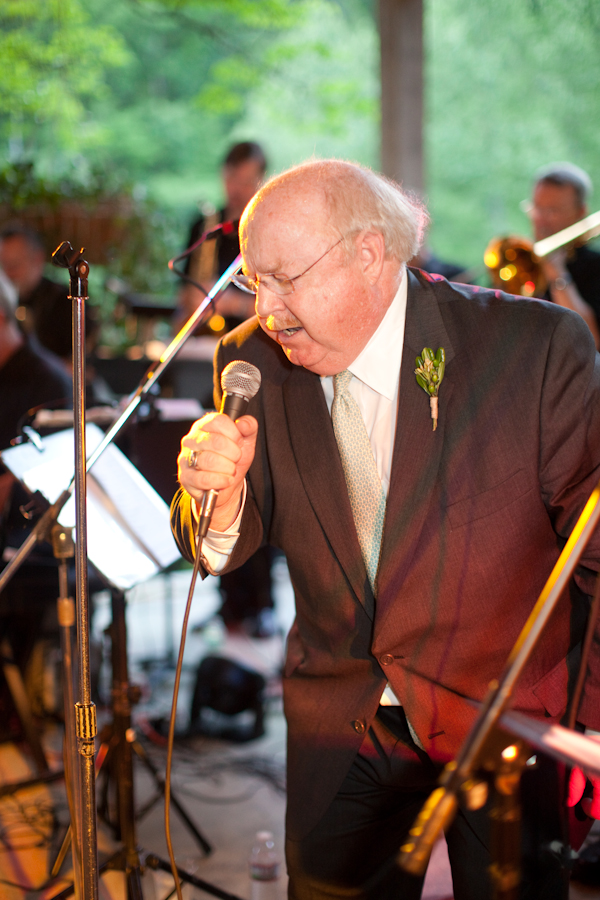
column 218, row 450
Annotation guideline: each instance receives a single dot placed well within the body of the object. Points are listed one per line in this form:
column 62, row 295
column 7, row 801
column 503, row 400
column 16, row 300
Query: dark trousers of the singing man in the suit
column 352, row 851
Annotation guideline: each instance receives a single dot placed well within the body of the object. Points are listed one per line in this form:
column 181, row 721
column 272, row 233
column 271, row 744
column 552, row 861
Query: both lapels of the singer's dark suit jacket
column 416, row 455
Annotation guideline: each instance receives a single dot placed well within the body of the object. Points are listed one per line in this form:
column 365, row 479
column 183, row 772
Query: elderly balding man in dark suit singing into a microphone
column 418, row 535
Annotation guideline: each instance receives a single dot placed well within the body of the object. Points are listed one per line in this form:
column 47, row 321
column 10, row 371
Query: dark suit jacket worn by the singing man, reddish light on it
column 477, row 514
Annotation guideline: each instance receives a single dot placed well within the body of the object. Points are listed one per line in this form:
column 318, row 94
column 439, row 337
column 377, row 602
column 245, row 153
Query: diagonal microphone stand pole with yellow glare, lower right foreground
column 458, row 776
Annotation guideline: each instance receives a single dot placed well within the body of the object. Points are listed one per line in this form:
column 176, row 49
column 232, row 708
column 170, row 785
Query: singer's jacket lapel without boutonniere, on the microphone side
column 317, row 458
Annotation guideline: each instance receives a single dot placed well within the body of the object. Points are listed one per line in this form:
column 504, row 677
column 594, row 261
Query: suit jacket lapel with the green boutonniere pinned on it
column 417, row 448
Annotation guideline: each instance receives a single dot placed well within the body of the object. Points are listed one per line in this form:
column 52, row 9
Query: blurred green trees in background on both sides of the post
column 146, row 96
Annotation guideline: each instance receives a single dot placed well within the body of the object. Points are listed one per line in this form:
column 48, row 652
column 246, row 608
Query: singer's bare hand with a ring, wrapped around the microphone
column 224, row 451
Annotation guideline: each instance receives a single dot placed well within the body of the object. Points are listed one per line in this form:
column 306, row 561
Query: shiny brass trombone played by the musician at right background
column 514, row 263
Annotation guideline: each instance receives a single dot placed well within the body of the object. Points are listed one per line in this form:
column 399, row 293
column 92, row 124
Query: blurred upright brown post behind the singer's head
column 401, row 37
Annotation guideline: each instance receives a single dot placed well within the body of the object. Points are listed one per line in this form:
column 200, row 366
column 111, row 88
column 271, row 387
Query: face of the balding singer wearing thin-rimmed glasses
column 329, row 317
